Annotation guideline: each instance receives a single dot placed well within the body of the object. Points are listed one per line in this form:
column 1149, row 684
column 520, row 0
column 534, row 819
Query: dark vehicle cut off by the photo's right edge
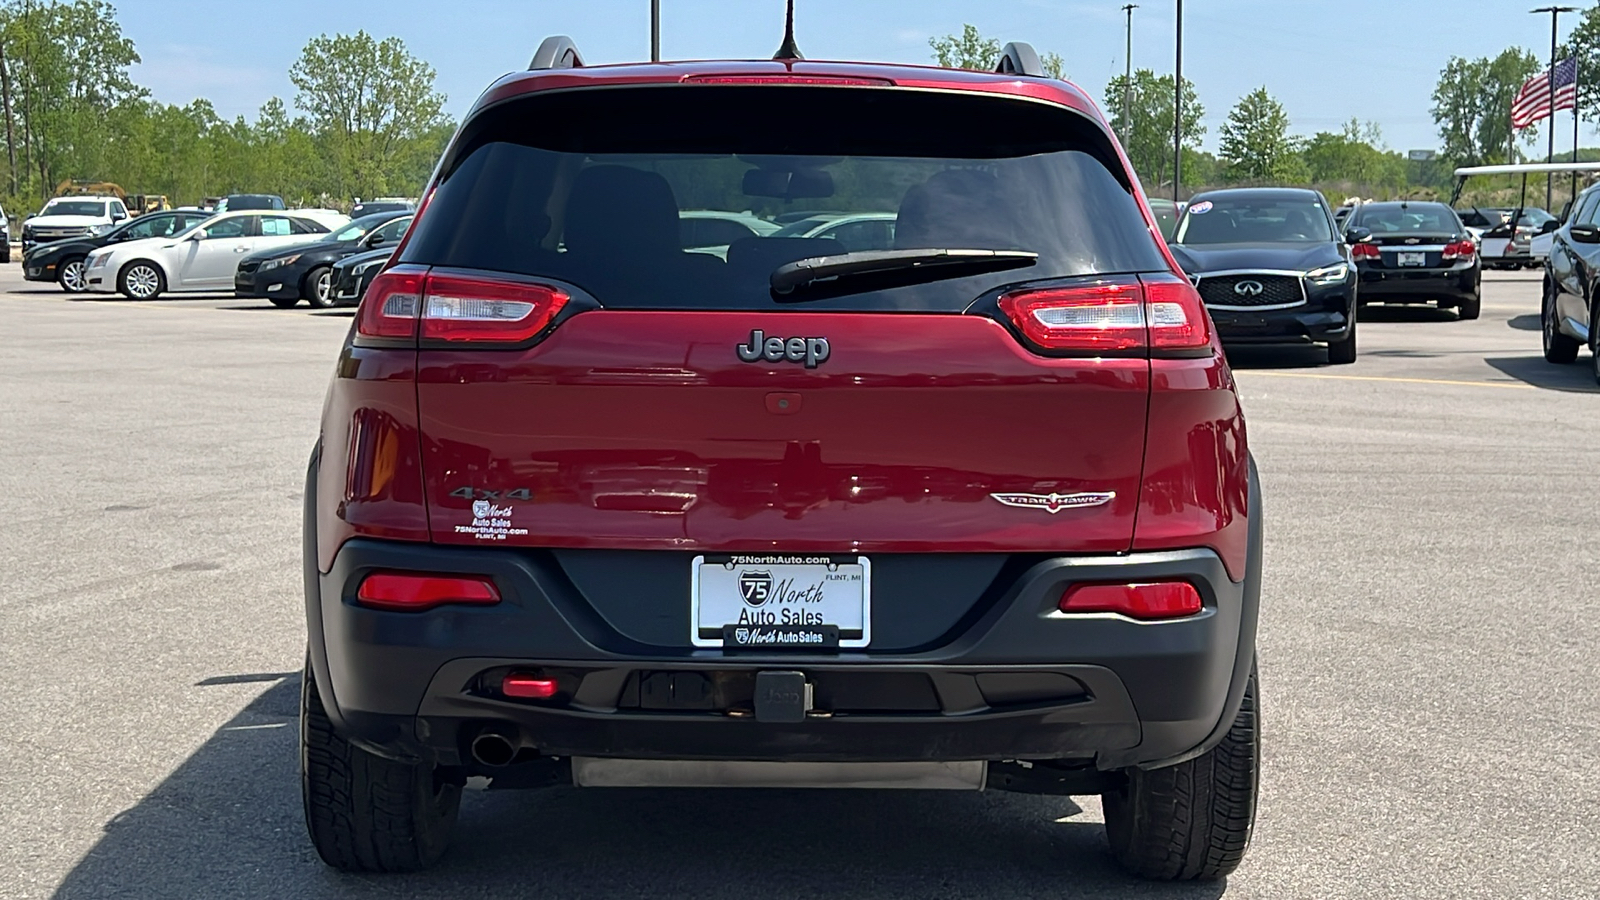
column 1570, row 316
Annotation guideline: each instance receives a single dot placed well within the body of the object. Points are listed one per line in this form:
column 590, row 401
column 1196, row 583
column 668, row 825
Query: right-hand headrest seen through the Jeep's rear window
column 959, row 207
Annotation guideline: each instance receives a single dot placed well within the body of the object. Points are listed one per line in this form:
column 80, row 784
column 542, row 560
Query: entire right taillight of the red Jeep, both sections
column 1159, row 313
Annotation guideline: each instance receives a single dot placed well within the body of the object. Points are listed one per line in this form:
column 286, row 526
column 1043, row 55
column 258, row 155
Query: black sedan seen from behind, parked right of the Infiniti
column 1415, row 252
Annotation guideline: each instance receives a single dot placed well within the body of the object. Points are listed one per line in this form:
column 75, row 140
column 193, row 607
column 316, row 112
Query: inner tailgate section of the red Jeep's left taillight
column 481, row 310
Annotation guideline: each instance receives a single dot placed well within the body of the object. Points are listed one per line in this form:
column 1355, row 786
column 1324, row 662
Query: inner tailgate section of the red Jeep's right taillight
column 1082, row 318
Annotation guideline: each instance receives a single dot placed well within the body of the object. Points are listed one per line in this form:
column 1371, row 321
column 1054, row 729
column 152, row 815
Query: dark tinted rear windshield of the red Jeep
column 593, row 188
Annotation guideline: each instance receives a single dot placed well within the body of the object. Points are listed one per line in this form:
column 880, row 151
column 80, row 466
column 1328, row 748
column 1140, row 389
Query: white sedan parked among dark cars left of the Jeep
column 204, row 259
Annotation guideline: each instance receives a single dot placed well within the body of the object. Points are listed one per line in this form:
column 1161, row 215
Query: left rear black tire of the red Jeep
column 366, row 813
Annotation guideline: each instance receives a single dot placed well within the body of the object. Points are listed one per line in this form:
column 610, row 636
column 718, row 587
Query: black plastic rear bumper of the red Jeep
column 1018, row 681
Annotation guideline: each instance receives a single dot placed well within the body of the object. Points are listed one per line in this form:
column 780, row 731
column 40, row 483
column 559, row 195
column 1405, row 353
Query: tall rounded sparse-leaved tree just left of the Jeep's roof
column 374, row 108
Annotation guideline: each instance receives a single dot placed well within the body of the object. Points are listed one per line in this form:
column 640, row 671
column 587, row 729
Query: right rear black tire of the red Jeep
column 1191, row 822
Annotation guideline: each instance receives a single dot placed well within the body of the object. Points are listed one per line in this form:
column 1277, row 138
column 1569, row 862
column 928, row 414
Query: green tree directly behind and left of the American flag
column 1473, row 106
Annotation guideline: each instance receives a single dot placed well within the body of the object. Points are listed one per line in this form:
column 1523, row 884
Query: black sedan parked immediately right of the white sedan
column 286, row 275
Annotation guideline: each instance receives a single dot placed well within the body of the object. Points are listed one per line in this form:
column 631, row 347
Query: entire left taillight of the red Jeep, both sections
column 409, row 302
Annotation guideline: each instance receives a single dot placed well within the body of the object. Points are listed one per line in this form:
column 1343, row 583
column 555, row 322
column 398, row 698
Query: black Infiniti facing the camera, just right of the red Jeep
column 1271, row 268
